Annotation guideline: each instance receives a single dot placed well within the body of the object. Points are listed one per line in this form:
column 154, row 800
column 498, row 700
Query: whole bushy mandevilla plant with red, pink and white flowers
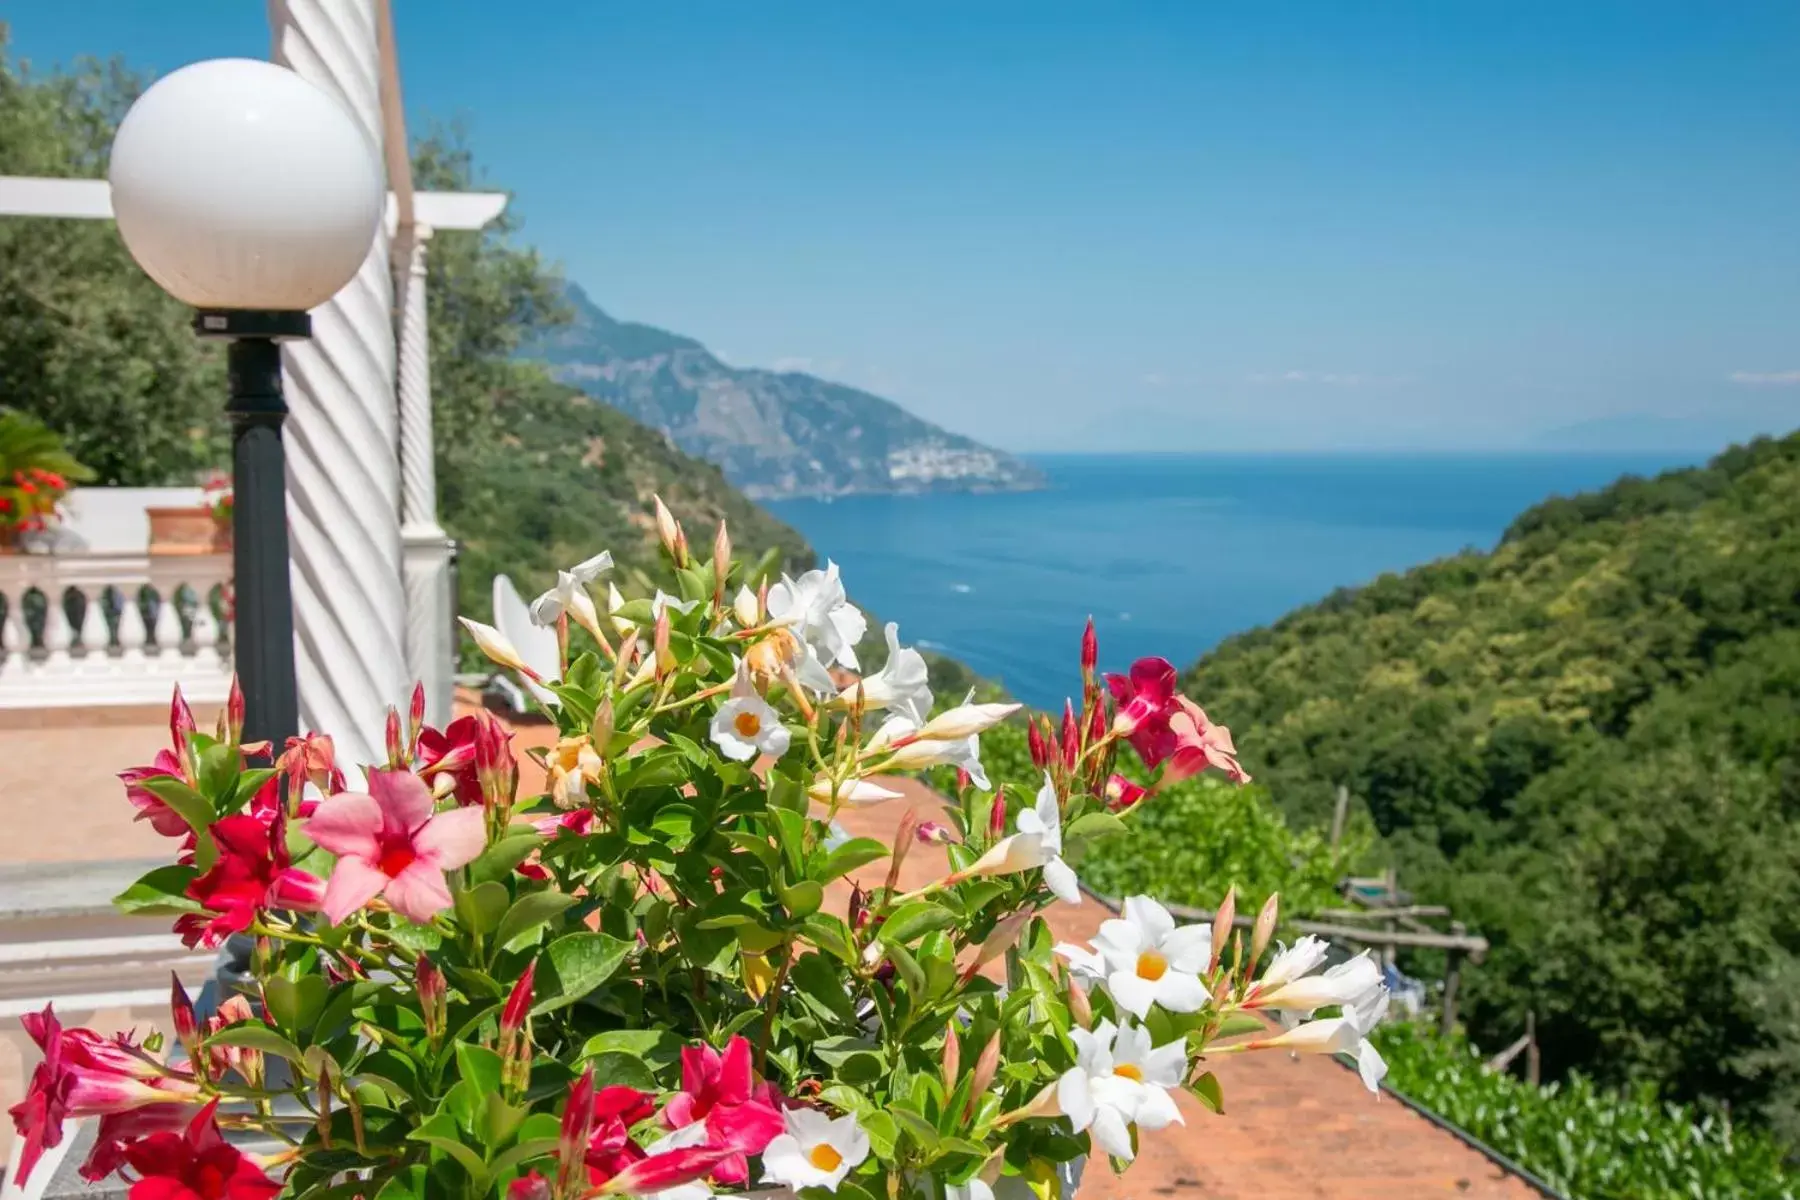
column 676, row 972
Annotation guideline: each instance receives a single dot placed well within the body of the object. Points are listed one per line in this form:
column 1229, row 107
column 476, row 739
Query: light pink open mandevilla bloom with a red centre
column 390, row 843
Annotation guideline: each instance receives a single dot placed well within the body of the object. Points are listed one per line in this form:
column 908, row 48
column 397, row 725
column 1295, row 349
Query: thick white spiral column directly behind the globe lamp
column 343, row 438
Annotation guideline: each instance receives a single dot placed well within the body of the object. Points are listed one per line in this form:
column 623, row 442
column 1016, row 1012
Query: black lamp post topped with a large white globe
column 255, row 197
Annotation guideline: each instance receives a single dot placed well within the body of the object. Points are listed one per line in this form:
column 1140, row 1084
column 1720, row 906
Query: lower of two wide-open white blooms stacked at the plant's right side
column 1120, row 1080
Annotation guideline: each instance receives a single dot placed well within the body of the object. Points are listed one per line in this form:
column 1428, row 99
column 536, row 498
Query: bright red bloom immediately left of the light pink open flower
column 251, row 873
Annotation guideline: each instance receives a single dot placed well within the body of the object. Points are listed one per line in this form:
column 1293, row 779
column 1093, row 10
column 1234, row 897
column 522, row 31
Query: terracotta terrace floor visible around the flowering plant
column 1295, row 1129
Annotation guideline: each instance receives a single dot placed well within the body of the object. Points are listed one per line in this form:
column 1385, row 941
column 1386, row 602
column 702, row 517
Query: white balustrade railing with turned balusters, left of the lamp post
column 82, row 631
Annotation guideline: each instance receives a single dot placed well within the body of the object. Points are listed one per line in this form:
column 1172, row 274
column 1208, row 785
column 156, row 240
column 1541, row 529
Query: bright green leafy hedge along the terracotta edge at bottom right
column 1583, row 1140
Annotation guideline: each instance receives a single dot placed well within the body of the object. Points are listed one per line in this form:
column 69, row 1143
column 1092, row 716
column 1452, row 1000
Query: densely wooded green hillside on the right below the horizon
column 1588, row 744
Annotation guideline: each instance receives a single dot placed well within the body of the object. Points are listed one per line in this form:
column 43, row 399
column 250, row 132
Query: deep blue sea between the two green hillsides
column 1167, row 553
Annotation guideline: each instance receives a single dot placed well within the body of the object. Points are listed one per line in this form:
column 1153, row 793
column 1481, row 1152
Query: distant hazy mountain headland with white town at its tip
column 773, row 434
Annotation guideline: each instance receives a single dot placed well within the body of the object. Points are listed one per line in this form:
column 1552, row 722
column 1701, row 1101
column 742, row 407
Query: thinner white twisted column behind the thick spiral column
column 426, row 546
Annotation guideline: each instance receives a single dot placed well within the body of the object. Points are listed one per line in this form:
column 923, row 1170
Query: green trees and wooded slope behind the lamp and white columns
column 532, row 474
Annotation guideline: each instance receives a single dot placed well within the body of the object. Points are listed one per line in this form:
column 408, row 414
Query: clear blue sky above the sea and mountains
column 1320, row 226
